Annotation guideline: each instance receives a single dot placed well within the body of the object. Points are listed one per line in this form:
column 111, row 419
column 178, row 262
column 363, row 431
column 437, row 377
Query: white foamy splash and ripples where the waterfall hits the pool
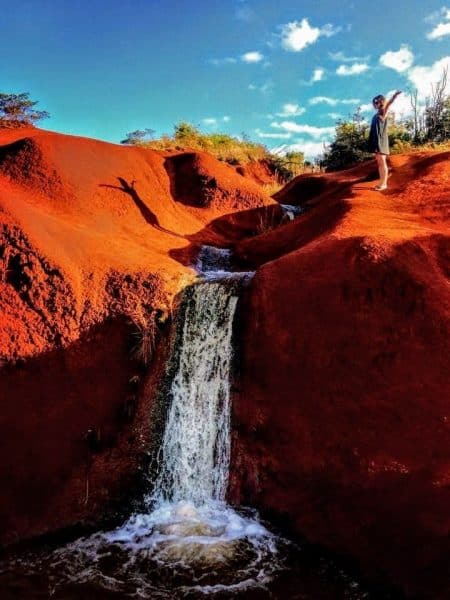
column 176, row 550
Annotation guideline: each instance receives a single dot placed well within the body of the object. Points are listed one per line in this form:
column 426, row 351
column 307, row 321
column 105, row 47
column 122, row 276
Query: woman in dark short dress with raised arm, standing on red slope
column 378, row 137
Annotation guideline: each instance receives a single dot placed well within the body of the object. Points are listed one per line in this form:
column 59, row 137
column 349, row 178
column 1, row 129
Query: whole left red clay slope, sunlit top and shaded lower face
column 89, row 235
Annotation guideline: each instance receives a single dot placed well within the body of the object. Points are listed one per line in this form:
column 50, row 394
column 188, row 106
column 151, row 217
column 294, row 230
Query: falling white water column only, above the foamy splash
column 195, row 453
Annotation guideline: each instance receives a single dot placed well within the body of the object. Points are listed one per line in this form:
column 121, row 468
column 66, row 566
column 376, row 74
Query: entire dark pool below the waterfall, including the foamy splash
column 180, row 551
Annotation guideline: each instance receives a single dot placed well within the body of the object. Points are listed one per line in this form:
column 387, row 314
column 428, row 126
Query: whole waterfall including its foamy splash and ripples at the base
column 188, row 530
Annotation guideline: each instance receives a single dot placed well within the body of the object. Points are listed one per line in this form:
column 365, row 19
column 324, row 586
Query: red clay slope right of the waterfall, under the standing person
column 343, row 409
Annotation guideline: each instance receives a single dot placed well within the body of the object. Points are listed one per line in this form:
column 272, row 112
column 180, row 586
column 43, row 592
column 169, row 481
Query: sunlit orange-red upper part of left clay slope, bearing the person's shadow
column 78, row 215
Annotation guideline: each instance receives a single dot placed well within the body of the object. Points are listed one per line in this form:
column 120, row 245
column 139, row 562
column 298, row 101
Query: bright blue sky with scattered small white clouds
column 281, row 72
